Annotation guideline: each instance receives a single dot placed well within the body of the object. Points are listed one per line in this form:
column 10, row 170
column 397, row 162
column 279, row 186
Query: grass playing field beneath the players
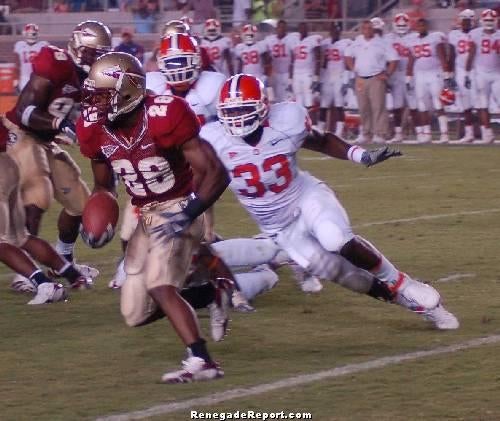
column 77, row 360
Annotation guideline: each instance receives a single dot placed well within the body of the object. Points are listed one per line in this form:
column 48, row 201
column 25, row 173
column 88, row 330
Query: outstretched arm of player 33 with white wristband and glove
column 332, row 145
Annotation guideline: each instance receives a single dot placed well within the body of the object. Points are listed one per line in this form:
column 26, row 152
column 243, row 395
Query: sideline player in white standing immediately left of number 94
column 460, row 42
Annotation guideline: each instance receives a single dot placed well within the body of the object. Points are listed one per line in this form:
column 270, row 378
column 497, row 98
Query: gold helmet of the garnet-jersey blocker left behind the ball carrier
column 89, row 40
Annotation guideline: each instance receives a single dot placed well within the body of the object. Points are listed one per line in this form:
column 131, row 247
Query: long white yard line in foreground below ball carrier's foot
column 295, row 381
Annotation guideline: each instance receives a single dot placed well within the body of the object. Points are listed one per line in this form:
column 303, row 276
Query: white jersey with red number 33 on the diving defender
column 265, row 178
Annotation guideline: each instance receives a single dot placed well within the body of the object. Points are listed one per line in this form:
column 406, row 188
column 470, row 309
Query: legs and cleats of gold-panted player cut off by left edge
column 17, row 247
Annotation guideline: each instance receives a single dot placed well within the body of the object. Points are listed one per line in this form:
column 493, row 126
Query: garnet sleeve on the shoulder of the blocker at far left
column 53, row 64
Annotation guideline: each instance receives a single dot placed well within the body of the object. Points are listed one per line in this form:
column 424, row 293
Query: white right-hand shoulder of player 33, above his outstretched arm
column 289, row 117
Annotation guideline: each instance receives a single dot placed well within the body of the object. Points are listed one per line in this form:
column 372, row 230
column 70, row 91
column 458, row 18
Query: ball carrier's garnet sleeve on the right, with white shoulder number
column 179, row 125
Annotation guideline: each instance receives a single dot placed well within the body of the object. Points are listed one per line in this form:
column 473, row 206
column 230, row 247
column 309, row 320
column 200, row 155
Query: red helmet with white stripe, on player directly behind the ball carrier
column 179, row 59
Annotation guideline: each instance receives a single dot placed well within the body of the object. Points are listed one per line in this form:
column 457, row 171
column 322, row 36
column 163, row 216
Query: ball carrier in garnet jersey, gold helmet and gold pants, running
column 152, row 143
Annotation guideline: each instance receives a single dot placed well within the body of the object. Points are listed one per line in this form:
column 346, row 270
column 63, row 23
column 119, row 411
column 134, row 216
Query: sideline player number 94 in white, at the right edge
column 485, row 53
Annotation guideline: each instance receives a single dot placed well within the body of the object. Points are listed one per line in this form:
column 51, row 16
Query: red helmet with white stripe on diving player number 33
column 243, row 105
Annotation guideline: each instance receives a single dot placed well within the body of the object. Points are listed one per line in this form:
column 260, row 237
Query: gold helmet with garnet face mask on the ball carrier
column 116, row 85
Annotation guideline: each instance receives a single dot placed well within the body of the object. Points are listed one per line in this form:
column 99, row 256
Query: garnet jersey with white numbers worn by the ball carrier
column 148, row 157
